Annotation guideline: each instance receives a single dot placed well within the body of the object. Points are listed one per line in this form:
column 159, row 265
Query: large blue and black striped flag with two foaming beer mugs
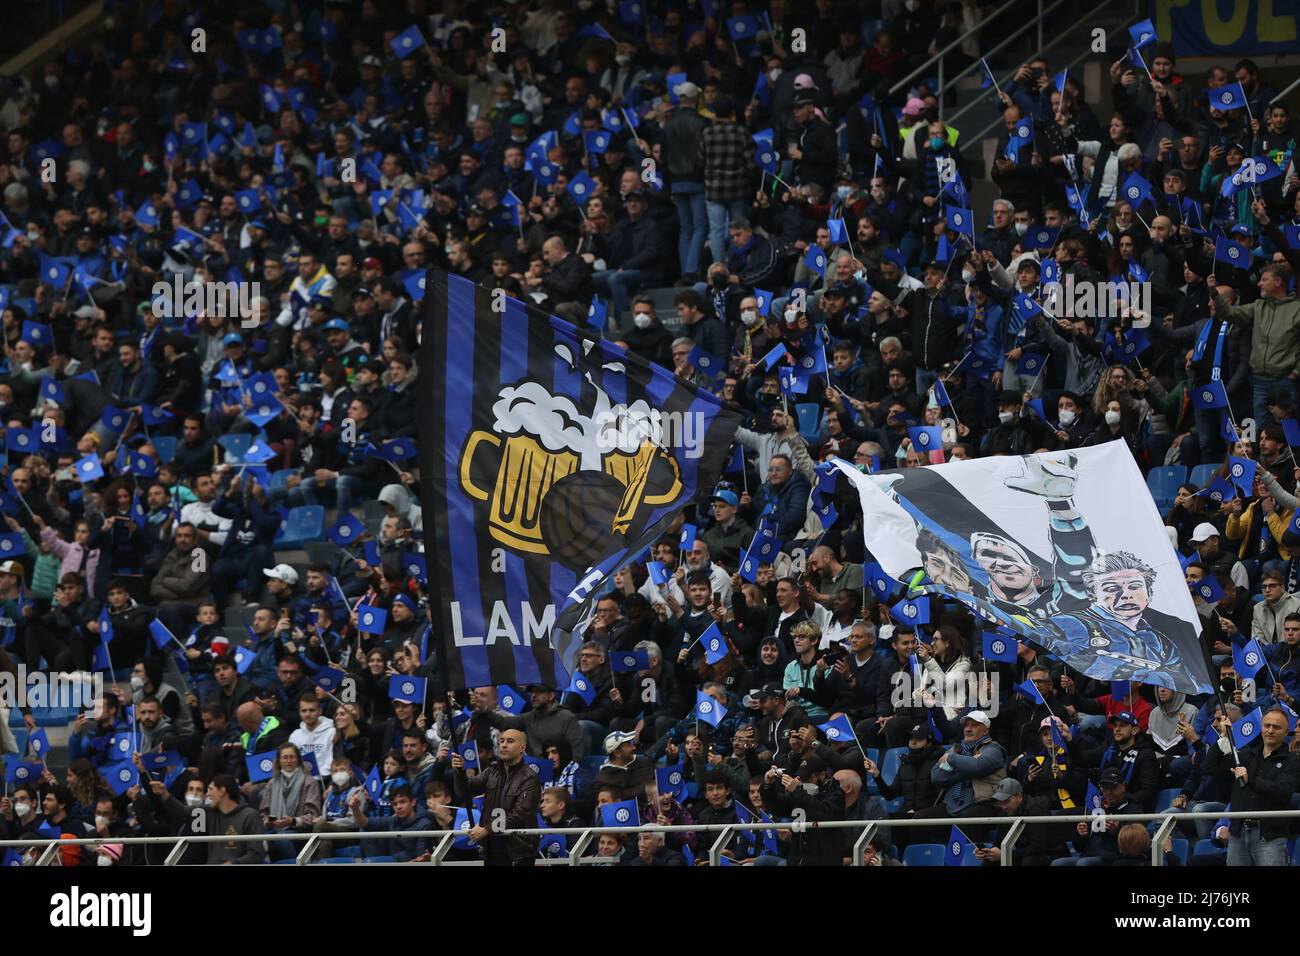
column 549, row 460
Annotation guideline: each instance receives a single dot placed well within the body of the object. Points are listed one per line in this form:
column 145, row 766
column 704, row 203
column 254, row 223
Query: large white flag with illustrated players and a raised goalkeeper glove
column 1065, row 550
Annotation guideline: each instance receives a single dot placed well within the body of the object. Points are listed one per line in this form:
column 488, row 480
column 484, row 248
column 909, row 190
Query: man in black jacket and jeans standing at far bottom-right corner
column 1266, row 777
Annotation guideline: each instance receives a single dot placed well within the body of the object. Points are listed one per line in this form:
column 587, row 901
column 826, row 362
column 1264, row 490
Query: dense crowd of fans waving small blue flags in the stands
column 167, row 468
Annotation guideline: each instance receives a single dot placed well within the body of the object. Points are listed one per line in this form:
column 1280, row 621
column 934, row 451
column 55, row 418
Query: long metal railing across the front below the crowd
column 587, row 834
